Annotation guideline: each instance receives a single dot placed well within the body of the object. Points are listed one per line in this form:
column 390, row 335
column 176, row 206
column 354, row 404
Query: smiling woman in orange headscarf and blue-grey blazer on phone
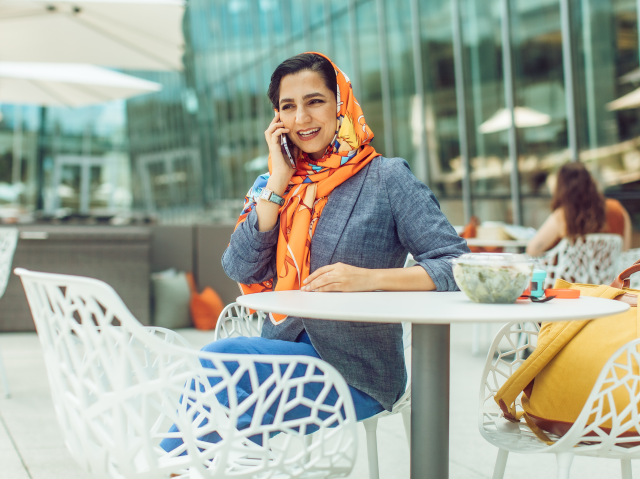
column 343, row 219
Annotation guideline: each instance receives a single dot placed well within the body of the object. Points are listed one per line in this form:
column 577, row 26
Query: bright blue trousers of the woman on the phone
column 365, row 405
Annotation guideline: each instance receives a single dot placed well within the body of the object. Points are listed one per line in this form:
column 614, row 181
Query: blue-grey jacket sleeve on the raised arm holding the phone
column 251, row 255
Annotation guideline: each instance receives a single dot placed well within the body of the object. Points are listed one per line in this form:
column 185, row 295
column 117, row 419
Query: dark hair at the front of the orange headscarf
column 302, row 62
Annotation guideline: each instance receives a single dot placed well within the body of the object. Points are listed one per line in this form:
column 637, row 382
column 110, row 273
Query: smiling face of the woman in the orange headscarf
column 308, row 109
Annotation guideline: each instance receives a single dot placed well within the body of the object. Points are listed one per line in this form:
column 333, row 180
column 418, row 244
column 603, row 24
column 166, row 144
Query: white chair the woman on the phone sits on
column 236, row 320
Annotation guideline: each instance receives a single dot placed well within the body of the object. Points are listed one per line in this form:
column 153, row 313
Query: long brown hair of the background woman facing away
column 577, row 194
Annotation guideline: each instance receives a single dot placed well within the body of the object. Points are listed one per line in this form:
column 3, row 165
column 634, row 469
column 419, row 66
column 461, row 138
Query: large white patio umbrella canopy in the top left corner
column 136, row 34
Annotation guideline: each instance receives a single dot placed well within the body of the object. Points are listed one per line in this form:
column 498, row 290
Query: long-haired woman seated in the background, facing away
column 579, row 209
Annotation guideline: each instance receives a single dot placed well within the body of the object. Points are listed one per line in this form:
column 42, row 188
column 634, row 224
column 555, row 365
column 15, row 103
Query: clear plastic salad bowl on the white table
column 492, row 277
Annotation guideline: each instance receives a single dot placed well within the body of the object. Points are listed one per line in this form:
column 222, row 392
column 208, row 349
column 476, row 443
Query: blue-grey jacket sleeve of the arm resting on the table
column 423, row 229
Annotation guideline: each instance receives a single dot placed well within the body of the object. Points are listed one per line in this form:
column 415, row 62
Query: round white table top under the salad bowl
column 426, row 307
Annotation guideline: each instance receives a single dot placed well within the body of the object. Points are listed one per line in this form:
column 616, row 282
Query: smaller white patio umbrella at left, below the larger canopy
column 59, row 84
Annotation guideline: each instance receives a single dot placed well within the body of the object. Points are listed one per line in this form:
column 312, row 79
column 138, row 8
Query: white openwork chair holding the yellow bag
column 585, row 438
